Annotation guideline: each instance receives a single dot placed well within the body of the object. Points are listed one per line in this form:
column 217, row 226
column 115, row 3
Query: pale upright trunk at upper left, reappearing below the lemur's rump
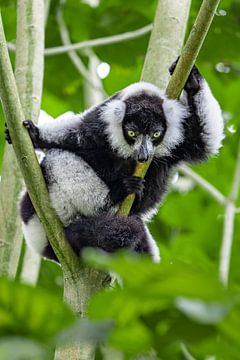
column 29, row 80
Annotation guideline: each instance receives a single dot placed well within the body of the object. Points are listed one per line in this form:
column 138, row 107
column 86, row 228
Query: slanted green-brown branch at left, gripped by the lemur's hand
column 28, row 162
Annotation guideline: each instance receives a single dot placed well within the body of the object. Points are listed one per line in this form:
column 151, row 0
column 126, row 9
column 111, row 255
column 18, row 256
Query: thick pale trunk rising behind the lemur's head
column 166, row 40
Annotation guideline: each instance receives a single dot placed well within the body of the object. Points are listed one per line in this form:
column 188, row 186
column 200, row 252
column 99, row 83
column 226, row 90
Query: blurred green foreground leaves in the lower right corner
column 164, row 306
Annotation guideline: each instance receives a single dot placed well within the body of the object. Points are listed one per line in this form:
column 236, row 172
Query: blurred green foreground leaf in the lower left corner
column 30, row 319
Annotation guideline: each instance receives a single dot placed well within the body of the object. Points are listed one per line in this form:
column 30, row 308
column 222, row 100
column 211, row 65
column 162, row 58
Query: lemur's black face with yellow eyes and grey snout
column 144, row 125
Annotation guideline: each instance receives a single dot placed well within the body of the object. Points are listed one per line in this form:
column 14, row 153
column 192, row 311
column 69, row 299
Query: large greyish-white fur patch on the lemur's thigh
column 74, row 187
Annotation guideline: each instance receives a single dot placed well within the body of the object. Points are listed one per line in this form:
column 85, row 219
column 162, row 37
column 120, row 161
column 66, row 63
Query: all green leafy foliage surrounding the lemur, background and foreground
column 161, row 308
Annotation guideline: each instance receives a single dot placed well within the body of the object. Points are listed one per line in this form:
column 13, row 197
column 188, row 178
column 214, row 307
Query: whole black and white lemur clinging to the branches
column 90, row 160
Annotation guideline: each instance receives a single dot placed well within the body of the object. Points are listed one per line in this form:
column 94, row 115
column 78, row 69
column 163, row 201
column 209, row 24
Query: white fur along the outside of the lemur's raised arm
column 211, row 118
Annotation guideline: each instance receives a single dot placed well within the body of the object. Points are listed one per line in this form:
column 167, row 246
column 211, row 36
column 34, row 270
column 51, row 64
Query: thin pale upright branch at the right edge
column 228, row 227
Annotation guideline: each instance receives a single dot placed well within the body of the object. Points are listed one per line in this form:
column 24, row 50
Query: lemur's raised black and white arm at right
column 203, row 128
